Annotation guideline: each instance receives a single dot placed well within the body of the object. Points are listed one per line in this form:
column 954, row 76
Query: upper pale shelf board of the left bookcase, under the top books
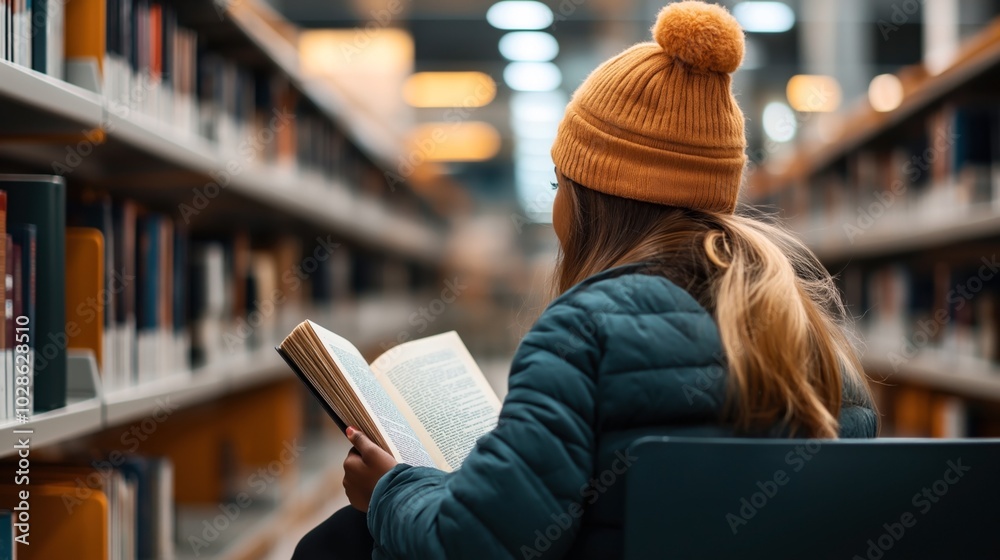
column 41, row 115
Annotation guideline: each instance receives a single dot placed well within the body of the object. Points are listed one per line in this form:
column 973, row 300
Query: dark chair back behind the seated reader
column 803, row 499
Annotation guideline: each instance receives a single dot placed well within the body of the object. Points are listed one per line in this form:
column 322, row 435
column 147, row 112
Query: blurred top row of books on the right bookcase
column 931, row 169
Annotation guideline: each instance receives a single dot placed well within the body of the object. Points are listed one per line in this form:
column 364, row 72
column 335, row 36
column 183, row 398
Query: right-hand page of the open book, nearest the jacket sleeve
column 445, row 391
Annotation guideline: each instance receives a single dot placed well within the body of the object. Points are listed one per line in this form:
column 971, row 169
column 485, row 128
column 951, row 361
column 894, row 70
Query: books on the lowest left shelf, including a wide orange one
column 119, row 507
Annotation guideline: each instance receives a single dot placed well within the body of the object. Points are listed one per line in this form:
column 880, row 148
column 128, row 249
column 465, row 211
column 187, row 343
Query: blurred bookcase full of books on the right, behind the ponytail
column 904, row 206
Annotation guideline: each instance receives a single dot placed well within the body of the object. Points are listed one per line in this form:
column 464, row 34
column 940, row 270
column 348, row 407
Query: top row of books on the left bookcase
column 143, row 60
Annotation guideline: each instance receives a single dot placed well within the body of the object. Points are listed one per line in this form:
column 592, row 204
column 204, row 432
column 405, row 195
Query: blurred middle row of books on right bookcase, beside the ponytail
column 908, row 310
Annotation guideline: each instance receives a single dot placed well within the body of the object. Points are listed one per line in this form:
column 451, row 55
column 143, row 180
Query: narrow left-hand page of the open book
column 375, row 399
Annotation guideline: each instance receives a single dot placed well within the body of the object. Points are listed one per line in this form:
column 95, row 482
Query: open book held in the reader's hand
column 425, row 401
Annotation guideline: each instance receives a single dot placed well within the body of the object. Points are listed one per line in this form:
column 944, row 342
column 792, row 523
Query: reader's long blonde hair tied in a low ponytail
column 780, row 316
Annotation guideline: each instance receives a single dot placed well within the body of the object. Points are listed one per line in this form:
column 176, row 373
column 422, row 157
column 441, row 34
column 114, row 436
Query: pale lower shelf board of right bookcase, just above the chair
column 967, row 377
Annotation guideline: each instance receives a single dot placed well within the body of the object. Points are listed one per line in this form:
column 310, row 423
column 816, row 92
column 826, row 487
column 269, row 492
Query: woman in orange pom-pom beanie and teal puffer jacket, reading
column 676, row 317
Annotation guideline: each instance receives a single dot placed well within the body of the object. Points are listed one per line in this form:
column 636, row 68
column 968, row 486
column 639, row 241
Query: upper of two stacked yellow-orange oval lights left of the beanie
column 449, row 89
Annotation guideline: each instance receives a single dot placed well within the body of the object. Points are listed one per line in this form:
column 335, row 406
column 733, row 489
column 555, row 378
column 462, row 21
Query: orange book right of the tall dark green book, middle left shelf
column 84, row 290
